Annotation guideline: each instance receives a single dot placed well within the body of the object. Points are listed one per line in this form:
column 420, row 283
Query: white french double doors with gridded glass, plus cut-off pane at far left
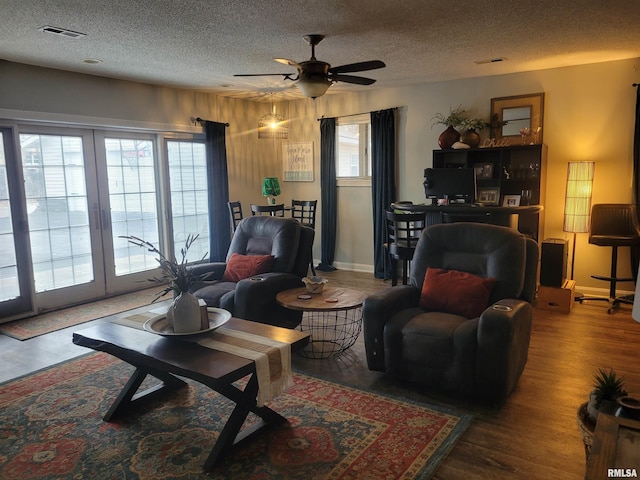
column 83, row 189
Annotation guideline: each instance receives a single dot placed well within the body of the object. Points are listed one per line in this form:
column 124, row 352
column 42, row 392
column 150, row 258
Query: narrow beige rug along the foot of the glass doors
column 52, row 321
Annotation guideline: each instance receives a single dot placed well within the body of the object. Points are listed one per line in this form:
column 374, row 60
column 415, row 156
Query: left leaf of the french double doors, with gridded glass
column 65, row 252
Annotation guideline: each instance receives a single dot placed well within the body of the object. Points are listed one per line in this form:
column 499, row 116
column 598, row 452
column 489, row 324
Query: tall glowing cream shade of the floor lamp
column 577, row 203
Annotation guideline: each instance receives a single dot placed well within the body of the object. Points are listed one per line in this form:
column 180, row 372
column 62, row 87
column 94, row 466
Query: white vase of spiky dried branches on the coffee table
column 183, row 314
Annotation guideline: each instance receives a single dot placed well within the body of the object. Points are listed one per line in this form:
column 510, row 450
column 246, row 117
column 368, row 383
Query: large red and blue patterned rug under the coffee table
column 51, row 427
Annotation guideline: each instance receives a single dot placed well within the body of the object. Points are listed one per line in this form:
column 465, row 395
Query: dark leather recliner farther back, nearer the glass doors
column 254, row 298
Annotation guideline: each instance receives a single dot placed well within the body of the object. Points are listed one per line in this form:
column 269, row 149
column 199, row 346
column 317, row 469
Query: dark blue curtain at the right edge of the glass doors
column 218, row 185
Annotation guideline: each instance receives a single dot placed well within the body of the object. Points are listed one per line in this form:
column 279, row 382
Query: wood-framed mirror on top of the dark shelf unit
column 511, row 114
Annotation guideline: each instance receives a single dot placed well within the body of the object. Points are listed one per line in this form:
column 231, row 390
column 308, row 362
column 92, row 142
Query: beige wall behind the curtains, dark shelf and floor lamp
column 589, row 115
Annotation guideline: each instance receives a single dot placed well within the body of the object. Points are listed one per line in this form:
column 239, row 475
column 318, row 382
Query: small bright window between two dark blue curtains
column 353, row 146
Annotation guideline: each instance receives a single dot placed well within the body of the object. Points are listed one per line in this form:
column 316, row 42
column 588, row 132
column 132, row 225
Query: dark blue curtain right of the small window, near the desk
column 383, row 182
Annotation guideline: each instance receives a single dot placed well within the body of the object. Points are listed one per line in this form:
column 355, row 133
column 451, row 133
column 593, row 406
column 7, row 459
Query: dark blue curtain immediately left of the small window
column 328, row 193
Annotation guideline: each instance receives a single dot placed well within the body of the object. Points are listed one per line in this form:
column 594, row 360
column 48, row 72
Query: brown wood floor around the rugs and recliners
column 532, row 436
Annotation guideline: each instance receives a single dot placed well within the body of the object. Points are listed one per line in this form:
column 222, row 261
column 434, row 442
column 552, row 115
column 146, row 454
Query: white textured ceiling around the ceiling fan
column 200, row 44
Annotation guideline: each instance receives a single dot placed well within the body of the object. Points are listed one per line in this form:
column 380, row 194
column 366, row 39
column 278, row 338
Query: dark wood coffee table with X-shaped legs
column 169, row 358
